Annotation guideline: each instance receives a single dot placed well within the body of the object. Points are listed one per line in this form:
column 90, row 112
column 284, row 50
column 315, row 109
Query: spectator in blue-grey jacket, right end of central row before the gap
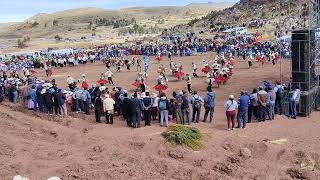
column 209, row 104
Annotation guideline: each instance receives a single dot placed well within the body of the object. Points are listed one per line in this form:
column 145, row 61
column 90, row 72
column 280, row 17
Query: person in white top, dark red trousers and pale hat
column 231, row 107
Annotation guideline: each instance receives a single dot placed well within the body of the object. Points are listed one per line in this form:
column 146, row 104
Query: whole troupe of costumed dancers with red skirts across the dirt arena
column 217, row 70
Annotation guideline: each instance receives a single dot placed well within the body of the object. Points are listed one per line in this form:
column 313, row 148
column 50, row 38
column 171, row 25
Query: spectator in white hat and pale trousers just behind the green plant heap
column 164, row 107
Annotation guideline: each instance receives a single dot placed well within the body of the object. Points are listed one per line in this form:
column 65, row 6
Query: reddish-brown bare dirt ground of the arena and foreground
column 37, row 146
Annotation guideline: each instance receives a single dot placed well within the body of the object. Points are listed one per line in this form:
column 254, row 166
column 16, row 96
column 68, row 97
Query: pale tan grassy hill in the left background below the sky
column 80, row 20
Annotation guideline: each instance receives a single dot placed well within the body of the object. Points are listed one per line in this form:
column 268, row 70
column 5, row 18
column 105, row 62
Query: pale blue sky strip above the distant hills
column 19, row 10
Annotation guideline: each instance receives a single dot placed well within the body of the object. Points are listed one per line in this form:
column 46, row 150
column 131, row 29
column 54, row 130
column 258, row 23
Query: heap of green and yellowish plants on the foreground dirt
column 184, row 135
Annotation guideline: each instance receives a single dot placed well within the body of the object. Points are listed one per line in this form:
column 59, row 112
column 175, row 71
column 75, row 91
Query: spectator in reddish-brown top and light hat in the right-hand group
column 262, row 104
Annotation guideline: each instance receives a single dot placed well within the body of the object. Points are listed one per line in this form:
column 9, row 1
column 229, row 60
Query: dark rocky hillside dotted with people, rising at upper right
column 278, row 19
